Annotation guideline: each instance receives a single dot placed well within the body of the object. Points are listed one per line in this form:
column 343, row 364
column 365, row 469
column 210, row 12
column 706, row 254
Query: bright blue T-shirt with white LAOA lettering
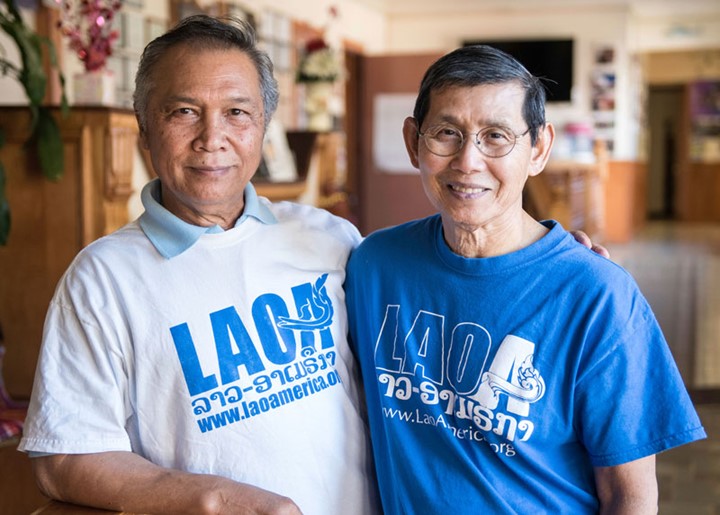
column 495, row 385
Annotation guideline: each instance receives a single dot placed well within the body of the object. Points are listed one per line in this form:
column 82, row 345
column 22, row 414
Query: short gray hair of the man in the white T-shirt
column 206, row 33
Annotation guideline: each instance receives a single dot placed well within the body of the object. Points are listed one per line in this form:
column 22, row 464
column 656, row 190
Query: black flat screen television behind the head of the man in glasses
column 548, row 58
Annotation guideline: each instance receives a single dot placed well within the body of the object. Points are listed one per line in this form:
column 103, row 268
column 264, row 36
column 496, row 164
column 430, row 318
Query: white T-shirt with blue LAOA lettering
column 230, row 358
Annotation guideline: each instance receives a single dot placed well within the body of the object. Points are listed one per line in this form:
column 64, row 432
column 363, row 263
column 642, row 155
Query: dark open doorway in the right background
column 664, row 122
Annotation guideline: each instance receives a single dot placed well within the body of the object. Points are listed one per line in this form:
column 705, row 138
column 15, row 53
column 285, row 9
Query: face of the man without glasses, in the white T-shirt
column 204, row 131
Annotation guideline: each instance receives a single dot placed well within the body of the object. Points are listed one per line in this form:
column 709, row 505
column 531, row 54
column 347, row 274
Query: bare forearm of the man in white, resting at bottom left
column 123, row 481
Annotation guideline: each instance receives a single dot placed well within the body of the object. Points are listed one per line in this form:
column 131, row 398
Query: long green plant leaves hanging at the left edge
column 45, row 138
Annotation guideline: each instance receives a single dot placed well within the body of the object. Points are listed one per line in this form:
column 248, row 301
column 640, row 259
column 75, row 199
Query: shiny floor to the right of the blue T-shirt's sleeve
column 678, row 269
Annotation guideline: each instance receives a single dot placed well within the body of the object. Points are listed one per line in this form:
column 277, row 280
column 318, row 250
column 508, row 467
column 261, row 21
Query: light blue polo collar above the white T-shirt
column 172, row 236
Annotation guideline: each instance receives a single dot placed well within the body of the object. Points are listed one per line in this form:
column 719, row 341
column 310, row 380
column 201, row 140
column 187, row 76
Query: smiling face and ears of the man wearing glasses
column 475, row 193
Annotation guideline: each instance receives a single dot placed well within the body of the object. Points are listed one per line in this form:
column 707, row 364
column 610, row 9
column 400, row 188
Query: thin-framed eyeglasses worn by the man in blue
column 447, row 140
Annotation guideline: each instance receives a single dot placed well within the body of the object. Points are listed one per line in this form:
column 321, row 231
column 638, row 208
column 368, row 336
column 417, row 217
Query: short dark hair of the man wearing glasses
column 476, row 65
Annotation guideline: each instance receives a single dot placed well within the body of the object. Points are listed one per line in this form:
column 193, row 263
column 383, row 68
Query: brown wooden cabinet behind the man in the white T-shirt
column 52, row 221
